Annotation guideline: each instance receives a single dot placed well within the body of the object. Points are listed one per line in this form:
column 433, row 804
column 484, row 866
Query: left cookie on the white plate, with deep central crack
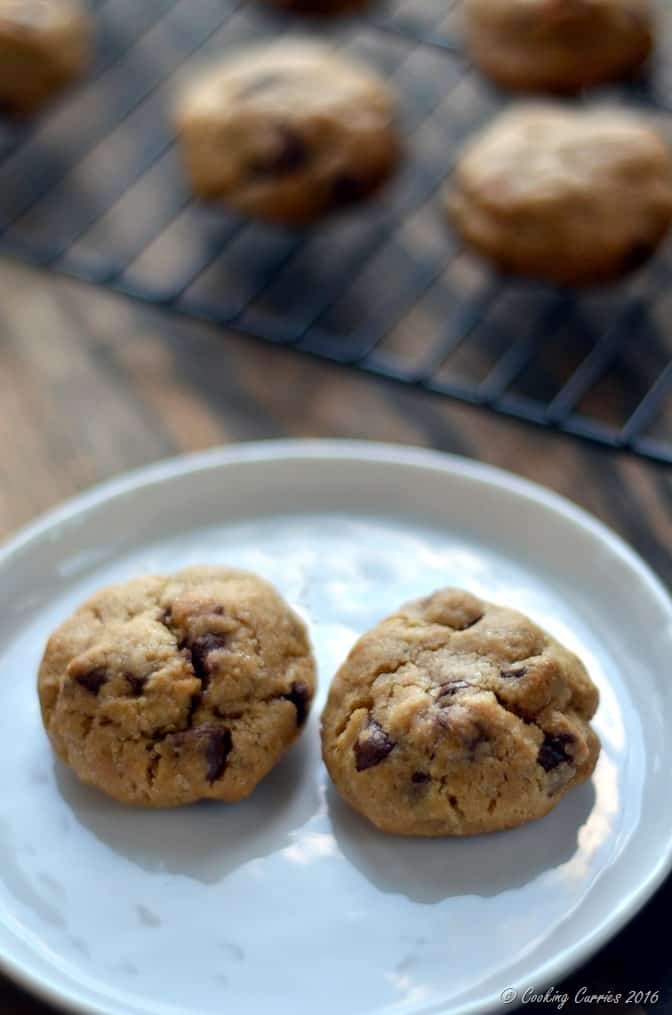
column 175, row 689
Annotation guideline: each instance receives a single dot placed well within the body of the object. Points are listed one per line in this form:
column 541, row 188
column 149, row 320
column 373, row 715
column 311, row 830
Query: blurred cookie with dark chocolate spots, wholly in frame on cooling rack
column 288, row 132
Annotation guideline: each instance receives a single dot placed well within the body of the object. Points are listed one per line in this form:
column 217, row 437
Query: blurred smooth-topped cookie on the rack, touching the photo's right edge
column 565, row 195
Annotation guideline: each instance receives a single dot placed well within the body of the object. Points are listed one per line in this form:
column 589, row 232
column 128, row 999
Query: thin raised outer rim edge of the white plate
column 257, row 452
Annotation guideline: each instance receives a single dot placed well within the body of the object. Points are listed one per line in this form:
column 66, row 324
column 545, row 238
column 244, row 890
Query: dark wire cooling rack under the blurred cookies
column 94, row 189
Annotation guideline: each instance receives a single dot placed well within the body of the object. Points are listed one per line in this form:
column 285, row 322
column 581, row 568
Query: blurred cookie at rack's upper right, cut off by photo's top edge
column 559, row 45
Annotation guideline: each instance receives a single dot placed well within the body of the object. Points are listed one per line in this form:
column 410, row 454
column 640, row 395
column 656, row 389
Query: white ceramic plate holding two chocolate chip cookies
column 290, row 903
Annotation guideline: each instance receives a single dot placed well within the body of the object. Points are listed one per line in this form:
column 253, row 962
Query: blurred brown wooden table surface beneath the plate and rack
column 92, row 386
